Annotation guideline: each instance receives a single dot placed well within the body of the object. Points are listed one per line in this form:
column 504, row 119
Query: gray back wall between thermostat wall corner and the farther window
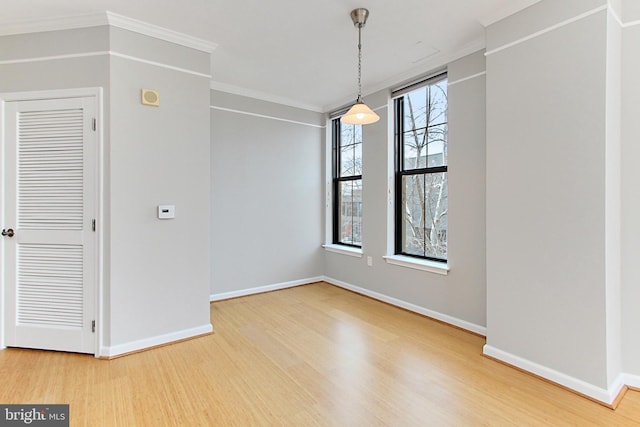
column 266, row 192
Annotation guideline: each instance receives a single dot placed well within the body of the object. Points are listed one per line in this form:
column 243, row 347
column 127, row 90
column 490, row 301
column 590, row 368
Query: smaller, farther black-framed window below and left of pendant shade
column 347, row 184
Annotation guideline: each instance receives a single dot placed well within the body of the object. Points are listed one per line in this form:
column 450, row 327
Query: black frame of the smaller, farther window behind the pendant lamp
column 337, row 179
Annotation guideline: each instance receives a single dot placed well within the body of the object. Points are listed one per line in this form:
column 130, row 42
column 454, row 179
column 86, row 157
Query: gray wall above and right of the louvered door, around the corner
column 156, row 273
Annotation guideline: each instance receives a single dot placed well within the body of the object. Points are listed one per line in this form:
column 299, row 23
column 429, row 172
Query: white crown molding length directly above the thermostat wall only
column 161, row 33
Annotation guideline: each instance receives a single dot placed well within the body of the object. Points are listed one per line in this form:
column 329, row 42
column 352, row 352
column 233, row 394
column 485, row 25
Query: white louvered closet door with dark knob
column 50, row 202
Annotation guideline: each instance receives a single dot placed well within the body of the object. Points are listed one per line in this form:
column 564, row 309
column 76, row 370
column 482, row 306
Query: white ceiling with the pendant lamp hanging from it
column 303, row 52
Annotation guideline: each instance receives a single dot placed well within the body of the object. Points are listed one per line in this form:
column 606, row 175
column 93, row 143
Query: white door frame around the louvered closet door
column 98, row 280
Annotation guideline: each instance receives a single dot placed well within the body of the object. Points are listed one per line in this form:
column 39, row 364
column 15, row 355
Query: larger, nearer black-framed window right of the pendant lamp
column 421, row 170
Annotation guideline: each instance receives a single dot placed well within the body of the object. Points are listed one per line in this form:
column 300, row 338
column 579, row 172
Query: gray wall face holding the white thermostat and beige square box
column 159, row 269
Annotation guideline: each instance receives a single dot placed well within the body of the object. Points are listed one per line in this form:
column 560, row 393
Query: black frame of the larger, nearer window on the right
column 400, row 171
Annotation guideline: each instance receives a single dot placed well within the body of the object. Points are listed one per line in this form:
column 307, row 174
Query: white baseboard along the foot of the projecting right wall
column 607, row 396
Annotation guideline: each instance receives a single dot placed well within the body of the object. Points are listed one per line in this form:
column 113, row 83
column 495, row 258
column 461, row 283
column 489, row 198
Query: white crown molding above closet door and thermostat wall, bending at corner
column 105, row 18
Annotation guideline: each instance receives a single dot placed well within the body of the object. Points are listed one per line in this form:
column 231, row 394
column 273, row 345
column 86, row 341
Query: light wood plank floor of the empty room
column 314, row 355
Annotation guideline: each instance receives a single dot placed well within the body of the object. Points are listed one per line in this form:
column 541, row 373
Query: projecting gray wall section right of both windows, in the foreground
column 552, row 193
